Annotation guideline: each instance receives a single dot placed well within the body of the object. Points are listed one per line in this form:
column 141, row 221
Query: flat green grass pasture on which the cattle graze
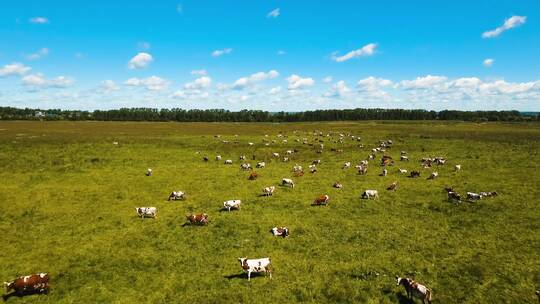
column 68, row 195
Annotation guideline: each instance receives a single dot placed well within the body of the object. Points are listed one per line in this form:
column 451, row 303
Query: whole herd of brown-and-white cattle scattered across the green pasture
column 39, row 283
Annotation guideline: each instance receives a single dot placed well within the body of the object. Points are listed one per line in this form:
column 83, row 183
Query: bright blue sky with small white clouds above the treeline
column 271, row 55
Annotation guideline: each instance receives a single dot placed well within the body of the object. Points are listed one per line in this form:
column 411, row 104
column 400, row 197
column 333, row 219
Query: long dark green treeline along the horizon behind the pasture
column 217, row 115
